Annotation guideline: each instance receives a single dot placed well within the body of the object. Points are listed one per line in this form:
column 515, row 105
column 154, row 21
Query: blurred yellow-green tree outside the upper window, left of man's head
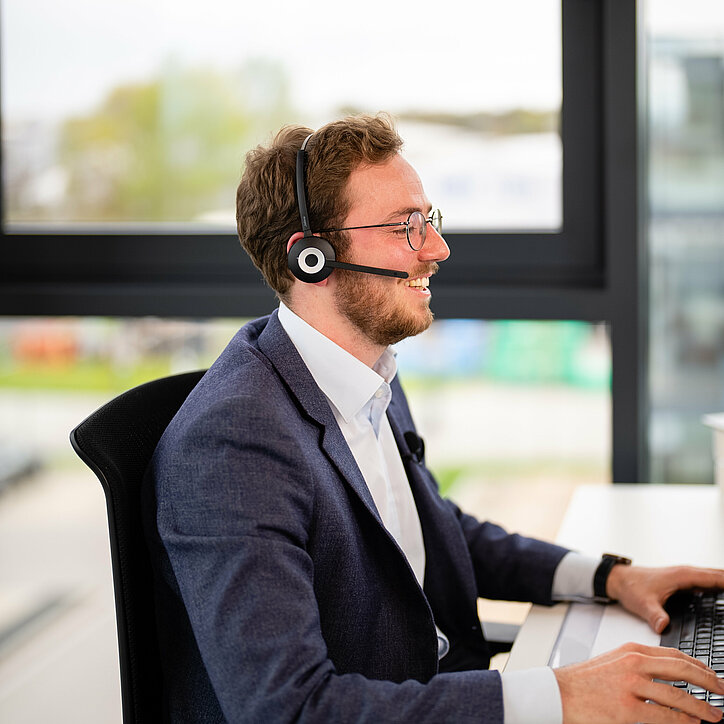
column 170, row 149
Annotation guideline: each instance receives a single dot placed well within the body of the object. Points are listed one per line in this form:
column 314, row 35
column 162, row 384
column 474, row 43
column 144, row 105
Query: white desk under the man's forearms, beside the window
column 653, row 524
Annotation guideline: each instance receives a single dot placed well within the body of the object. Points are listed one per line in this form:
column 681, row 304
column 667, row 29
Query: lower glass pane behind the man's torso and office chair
column 515, row 415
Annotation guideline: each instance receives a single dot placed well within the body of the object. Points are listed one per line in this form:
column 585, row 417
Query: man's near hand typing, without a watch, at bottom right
column 618, row 687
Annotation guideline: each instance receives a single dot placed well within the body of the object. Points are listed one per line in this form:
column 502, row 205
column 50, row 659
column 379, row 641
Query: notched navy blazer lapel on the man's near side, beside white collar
column 281, row 352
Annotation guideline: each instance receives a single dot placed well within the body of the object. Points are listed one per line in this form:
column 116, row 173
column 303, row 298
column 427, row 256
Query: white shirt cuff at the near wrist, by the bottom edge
column 531, row 696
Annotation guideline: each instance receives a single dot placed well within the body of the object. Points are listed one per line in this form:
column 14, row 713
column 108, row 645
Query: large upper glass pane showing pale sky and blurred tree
column 143, row 111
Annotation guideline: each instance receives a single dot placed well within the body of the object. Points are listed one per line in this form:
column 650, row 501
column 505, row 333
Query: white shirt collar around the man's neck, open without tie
column 347, row 382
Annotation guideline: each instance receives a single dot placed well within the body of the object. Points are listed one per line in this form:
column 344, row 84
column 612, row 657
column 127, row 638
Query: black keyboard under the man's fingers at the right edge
column 697, row 629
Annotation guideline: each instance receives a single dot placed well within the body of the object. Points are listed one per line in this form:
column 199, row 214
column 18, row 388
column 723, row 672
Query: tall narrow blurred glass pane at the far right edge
column 686, row 234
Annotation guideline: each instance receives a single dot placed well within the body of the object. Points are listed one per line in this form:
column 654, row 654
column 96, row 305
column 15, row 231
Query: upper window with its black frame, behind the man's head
column 181, row 268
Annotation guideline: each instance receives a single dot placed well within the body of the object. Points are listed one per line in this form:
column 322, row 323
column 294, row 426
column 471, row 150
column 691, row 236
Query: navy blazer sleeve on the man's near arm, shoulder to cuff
column 237, row 547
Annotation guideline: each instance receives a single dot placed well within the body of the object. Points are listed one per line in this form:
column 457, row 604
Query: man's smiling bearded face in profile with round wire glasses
column 385, row 309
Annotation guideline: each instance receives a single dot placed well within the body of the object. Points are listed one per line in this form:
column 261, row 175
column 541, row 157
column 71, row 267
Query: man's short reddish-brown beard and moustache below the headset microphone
column 375, row 308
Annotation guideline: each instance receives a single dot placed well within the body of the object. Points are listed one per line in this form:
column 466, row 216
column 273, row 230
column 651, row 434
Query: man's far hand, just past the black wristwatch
column 643, row 591
